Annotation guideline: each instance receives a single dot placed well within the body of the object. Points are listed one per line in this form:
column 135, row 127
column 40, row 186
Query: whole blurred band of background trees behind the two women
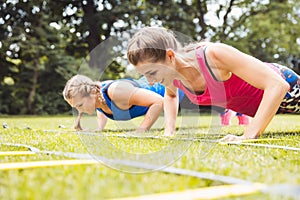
column 45, row 42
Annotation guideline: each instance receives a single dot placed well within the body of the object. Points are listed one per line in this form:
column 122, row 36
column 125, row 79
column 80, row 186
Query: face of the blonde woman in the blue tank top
column 84, row 104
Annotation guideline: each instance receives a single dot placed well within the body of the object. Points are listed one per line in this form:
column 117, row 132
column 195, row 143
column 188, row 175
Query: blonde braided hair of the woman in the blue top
column 79, row 84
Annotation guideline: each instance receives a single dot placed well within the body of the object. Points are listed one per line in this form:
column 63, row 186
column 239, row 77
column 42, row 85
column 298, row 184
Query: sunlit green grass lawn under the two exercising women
column 255, row 164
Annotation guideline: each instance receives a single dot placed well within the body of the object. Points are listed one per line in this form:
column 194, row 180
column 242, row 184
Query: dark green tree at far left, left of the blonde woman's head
column 44, row 64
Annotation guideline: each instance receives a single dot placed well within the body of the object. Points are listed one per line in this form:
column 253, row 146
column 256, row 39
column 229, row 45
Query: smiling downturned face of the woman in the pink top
column 157, row 72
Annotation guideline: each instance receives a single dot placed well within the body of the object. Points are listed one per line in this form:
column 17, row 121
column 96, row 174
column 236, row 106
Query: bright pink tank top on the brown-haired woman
column 235, row 93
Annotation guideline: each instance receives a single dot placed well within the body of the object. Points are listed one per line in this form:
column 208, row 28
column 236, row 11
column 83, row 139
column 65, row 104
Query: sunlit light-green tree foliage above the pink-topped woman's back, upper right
column 267, row 31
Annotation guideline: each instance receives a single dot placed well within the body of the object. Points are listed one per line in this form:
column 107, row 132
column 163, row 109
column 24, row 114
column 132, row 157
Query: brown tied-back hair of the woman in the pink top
column 150, row 44
